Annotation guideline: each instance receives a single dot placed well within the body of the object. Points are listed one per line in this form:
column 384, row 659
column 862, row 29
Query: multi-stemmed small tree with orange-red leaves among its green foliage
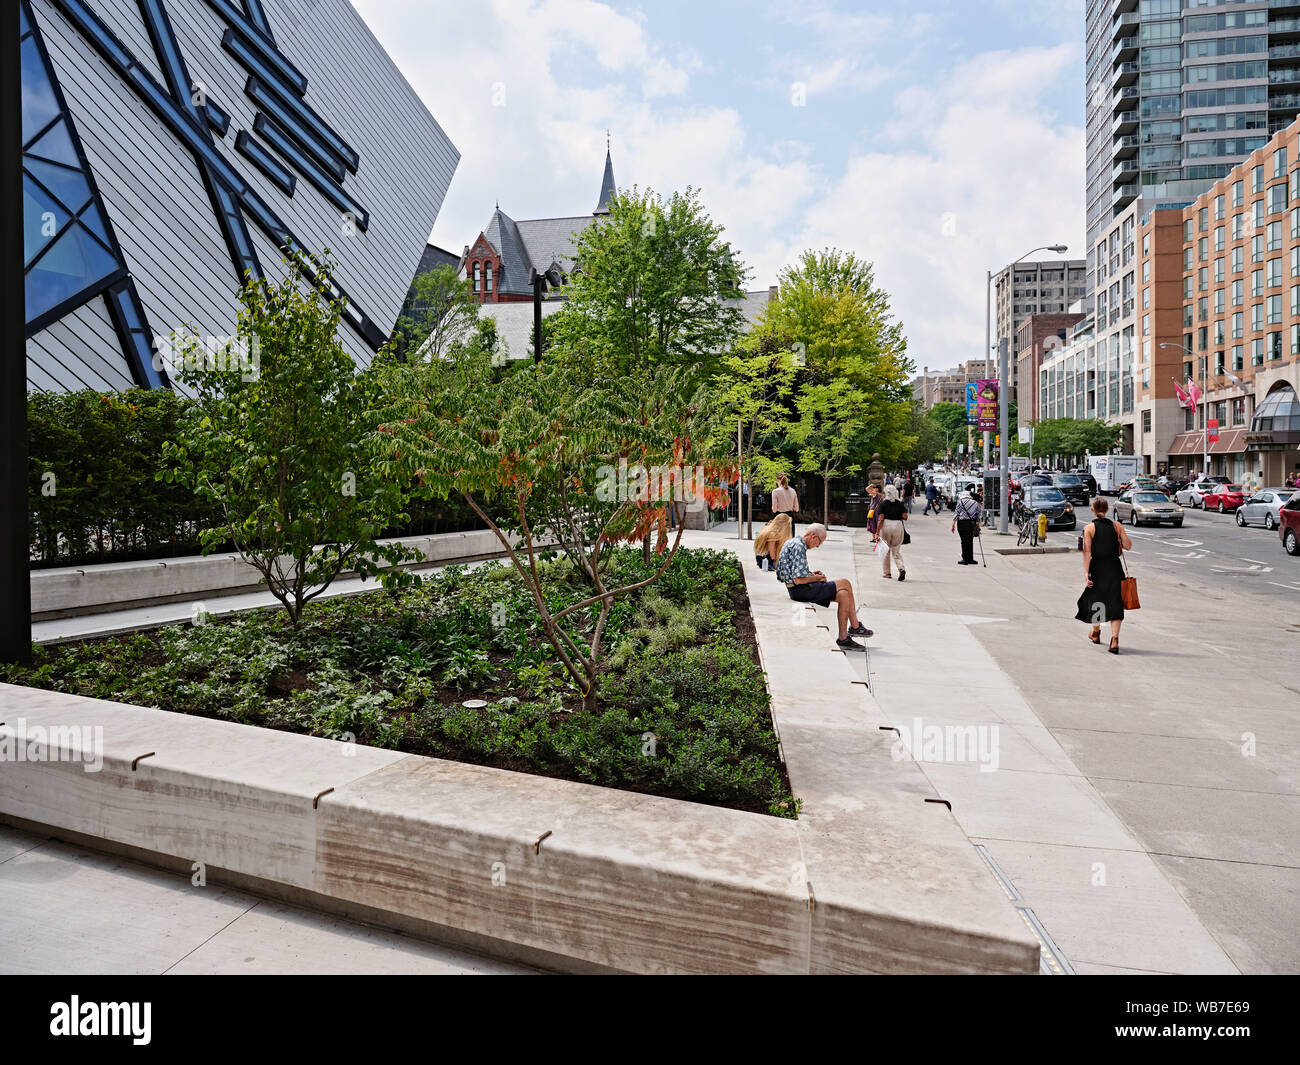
column 549, row 441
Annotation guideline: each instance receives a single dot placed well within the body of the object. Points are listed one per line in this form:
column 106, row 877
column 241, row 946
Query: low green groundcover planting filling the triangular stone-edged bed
column 683, row 713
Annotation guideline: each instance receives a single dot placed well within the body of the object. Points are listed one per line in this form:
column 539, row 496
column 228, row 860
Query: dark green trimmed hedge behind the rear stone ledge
column 92, row 490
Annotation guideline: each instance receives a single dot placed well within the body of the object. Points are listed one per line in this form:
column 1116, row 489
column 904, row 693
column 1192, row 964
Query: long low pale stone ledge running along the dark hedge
column 123, row 586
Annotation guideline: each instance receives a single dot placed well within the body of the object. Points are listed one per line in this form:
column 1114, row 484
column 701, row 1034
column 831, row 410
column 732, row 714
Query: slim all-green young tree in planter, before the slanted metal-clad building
column 280, row 441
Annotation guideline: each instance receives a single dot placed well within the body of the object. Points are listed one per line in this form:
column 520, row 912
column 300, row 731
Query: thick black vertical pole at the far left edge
column 15, row 548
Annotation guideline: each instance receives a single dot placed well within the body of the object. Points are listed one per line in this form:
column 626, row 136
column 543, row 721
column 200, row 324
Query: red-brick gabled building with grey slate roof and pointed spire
column 502, row 259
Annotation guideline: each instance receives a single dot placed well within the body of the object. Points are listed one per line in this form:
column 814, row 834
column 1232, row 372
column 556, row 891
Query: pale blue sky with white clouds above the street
column 935, row 138
